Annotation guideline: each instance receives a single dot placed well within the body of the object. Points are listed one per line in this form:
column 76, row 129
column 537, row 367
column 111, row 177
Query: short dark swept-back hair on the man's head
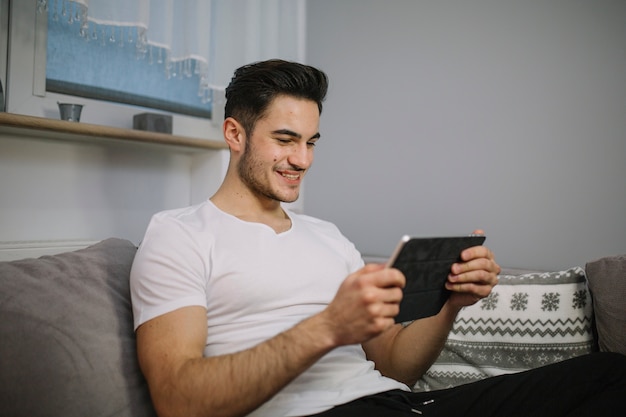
column 254, row 86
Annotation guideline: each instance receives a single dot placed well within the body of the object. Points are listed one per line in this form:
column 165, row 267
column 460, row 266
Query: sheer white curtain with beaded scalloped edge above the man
column 210, row 38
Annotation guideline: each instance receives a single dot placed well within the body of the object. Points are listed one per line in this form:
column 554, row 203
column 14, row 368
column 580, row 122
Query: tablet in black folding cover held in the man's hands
column 426, row 264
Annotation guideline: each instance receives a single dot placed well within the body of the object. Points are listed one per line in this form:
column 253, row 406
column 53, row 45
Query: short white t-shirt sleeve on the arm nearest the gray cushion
column 168, row 271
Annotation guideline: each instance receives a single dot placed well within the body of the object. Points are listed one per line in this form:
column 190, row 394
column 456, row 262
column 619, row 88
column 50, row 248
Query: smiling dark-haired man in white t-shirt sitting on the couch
column 244, row 308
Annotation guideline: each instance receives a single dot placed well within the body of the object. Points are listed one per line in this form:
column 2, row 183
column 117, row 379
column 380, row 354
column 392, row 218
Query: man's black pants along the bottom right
column 590, row 385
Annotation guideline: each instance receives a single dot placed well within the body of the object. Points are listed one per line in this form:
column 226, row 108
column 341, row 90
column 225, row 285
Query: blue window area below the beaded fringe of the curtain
column 113, row 63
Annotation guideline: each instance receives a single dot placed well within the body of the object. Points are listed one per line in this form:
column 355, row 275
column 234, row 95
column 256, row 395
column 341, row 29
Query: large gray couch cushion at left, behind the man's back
column 67, row 344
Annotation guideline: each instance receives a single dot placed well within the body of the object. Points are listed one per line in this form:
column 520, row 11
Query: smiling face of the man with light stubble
column 280, row 149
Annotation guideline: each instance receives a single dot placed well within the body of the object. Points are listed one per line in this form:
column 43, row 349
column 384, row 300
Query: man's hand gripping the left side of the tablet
column 365, row 304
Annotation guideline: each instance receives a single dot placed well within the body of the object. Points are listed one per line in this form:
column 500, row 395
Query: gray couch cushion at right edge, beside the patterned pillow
column 607, row 282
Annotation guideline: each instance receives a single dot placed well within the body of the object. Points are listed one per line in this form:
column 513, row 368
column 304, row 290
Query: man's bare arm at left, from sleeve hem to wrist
column 236, row 384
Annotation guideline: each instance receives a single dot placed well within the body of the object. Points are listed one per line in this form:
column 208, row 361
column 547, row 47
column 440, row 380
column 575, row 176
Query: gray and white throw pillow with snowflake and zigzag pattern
column 527, row 321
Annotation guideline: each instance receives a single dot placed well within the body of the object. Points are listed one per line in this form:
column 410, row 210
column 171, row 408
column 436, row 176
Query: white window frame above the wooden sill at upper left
column 25, row 85
